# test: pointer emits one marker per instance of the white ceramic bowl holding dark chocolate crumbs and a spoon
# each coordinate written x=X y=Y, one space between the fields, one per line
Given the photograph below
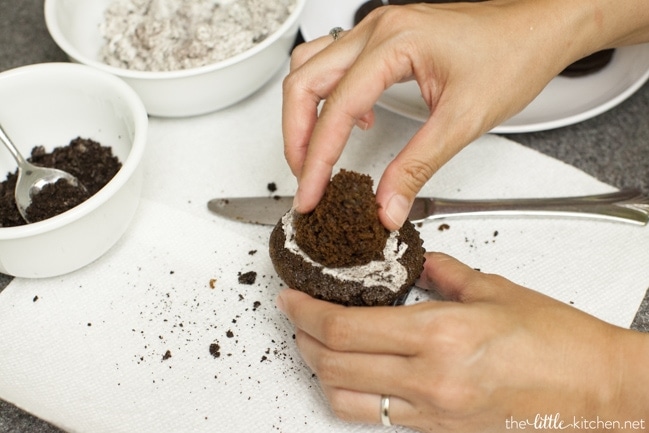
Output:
x=50 y=104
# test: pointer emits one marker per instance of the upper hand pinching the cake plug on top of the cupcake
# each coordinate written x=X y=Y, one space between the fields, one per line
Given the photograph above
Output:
x=476 y=65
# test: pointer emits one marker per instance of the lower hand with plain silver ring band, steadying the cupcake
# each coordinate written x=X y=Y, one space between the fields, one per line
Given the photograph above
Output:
x=495 y=352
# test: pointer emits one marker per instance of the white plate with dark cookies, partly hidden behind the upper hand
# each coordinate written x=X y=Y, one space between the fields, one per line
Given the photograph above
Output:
x=564 y=101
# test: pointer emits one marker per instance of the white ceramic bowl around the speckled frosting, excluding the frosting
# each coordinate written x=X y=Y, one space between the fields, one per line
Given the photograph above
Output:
x=74 y=26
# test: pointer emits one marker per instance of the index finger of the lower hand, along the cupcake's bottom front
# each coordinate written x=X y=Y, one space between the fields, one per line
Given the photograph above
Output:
x=386 y=330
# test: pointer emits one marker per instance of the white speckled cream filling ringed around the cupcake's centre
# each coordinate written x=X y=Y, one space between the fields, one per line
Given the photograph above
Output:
x=388 y=273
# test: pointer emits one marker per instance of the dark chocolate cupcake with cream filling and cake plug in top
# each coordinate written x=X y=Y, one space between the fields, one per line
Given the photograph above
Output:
x=340 y=252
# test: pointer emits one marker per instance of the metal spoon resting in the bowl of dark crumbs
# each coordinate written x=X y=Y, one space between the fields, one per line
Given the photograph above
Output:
x=32 y=178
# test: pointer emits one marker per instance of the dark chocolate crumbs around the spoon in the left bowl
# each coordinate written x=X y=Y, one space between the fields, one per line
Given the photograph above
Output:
x=90 y=162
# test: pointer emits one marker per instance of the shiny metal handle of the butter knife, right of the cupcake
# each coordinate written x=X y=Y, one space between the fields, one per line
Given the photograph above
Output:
x=628 y=205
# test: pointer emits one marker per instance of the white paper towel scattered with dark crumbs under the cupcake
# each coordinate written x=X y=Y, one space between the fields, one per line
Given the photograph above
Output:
x=86 y=351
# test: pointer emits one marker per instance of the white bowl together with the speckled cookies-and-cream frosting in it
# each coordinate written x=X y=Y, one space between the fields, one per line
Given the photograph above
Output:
x=182 y=57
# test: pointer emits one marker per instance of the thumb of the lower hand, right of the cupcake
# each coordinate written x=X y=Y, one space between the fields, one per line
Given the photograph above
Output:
x=454 y=280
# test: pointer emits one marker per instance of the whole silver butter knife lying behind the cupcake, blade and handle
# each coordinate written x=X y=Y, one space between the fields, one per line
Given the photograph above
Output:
x=627 y=205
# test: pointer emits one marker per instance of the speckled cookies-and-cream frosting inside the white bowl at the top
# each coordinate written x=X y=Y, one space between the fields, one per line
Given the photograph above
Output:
x=171 y=35
